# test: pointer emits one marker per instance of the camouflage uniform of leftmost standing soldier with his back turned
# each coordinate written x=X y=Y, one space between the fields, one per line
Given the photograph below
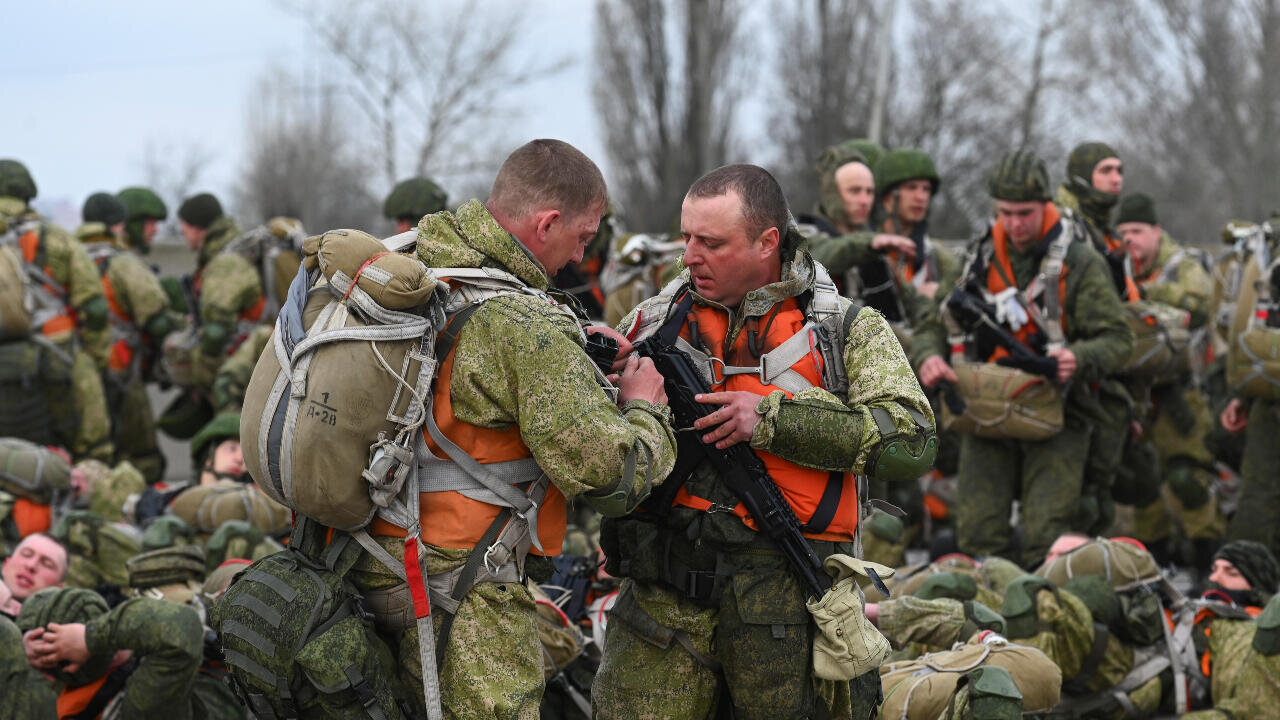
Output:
x=70 y=266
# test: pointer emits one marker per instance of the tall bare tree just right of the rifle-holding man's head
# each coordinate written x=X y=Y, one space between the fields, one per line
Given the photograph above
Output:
x=825 y=76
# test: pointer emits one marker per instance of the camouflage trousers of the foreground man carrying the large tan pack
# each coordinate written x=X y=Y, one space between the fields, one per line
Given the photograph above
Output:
x=493 y=664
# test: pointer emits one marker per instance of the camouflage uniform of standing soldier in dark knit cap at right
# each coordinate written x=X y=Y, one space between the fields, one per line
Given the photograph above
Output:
x=1180 y=421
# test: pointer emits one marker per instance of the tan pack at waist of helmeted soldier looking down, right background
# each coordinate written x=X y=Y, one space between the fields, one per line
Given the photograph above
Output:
x=1005 y=403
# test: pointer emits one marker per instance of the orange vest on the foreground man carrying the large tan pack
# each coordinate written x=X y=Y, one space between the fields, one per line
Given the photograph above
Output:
x=454 y=521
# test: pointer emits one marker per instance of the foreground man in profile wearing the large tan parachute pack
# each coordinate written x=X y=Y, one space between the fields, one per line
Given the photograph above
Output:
x=516 y=394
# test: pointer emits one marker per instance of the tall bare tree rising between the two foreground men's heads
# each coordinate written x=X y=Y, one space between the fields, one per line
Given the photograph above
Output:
x=665 y=90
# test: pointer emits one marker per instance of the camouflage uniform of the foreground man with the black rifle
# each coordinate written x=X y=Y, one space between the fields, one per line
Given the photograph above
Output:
x=669 y=655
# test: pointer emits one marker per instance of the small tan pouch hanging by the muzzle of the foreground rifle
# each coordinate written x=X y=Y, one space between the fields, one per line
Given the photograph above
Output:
x=847 y=644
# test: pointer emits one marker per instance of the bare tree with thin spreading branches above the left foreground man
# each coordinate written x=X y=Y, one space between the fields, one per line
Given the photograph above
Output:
x=432 y=81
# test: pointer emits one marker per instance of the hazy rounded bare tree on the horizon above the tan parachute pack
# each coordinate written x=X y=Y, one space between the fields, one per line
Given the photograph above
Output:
x=303 y=163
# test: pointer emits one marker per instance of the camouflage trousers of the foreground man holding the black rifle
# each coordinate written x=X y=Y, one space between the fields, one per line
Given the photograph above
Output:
x=666 y=658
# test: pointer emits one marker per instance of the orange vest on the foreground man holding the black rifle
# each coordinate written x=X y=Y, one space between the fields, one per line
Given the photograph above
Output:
x=802 y=487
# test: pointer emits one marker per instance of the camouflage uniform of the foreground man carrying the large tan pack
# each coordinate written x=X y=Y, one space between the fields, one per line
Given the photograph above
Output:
x=518 y=363
